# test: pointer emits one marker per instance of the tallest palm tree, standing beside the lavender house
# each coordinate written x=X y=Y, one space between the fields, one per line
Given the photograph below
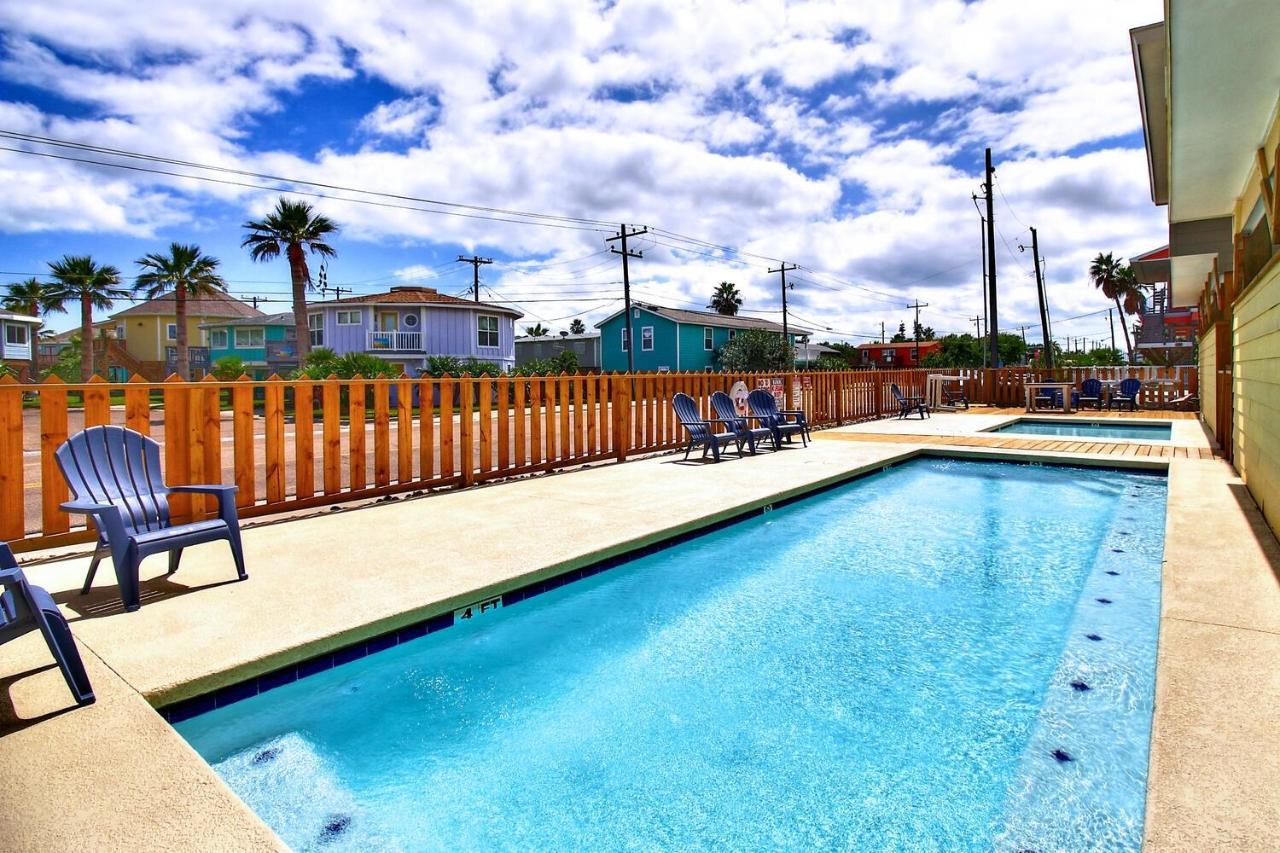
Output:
x=295 y=230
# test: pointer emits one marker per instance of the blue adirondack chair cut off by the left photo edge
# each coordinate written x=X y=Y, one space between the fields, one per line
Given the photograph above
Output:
x=25 y=609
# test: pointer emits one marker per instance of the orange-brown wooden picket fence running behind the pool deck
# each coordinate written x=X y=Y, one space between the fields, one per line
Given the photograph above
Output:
x=295 y=445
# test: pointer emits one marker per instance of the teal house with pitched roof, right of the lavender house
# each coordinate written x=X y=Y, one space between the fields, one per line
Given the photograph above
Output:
x=675 y=339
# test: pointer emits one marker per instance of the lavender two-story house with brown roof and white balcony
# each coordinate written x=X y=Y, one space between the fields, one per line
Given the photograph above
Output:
x=409 y=325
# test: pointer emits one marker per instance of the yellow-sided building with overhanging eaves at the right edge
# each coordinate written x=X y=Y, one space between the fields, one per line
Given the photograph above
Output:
x=1209 y=84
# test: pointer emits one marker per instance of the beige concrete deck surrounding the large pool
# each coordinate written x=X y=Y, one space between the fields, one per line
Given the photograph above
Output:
x=118 y=776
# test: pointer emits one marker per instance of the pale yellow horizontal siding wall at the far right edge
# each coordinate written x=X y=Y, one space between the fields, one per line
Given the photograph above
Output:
x=1256 y=355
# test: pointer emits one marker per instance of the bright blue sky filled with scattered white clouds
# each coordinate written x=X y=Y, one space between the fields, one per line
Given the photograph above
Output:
x=843 y=136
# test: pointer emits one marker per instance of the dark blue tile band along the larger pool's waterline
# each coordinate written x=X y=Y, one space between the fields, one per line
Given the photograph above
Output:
x=223 y=697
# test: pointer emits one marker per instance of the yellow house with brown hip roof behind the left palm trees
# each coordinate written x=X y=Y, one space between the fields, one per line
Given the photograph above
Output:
x=149 y=331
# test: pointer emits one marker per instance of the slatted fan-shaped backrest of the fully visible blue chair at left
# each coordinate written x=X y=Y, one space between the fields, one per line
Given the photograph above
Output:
x=117 y=466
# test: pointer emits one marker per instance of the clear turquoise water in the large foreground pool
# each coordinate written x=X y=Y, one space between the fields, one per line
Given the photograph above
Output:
x=949 y=655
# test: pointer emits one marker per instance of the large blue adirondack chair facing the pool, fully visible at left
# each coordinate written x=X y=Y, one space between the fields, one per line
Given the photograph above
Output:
x=115 y=476
